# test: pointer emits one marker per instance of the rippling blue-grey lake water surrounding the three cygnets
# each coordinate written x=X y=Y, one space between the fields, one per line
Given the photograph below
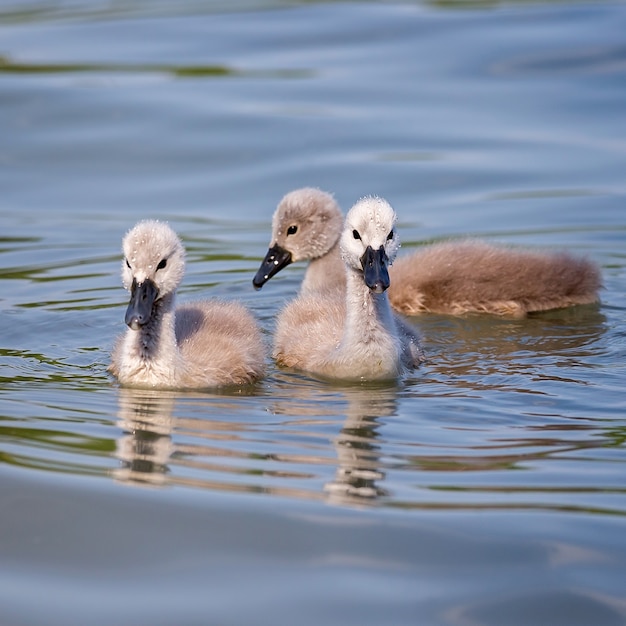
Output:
x=488 y=488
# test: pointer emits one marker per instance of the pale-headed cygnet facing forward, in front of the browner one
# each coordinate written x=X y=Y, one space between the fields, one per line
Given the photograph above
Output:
x=353 y=335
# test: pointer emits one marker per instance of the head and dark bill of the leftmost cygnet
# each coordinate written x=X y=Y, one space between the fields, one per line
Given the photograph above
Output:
x=153 y=266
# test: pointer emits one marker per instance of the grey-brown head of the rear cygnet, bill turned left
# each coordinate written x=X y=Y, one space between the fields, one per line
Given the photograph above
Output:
x=306 y=225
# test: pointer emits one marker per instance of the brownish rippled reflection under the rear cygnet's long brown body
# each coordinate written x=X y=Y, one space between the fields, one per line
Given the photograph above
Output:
x=479 y=354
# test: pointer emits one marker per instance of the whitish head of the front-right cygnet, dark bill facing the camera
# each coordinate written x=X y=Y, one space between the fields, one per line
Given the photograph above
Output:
x=369 y=242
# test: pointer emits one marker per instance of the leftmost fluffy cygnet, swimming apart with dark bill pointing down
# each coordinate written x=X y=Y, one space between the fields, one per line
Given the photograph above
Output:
x=197 y=345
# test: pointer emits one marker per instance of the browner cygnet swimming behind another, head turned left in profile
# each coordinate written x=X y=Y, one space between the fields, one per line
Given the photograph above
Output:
x=454 y=277
